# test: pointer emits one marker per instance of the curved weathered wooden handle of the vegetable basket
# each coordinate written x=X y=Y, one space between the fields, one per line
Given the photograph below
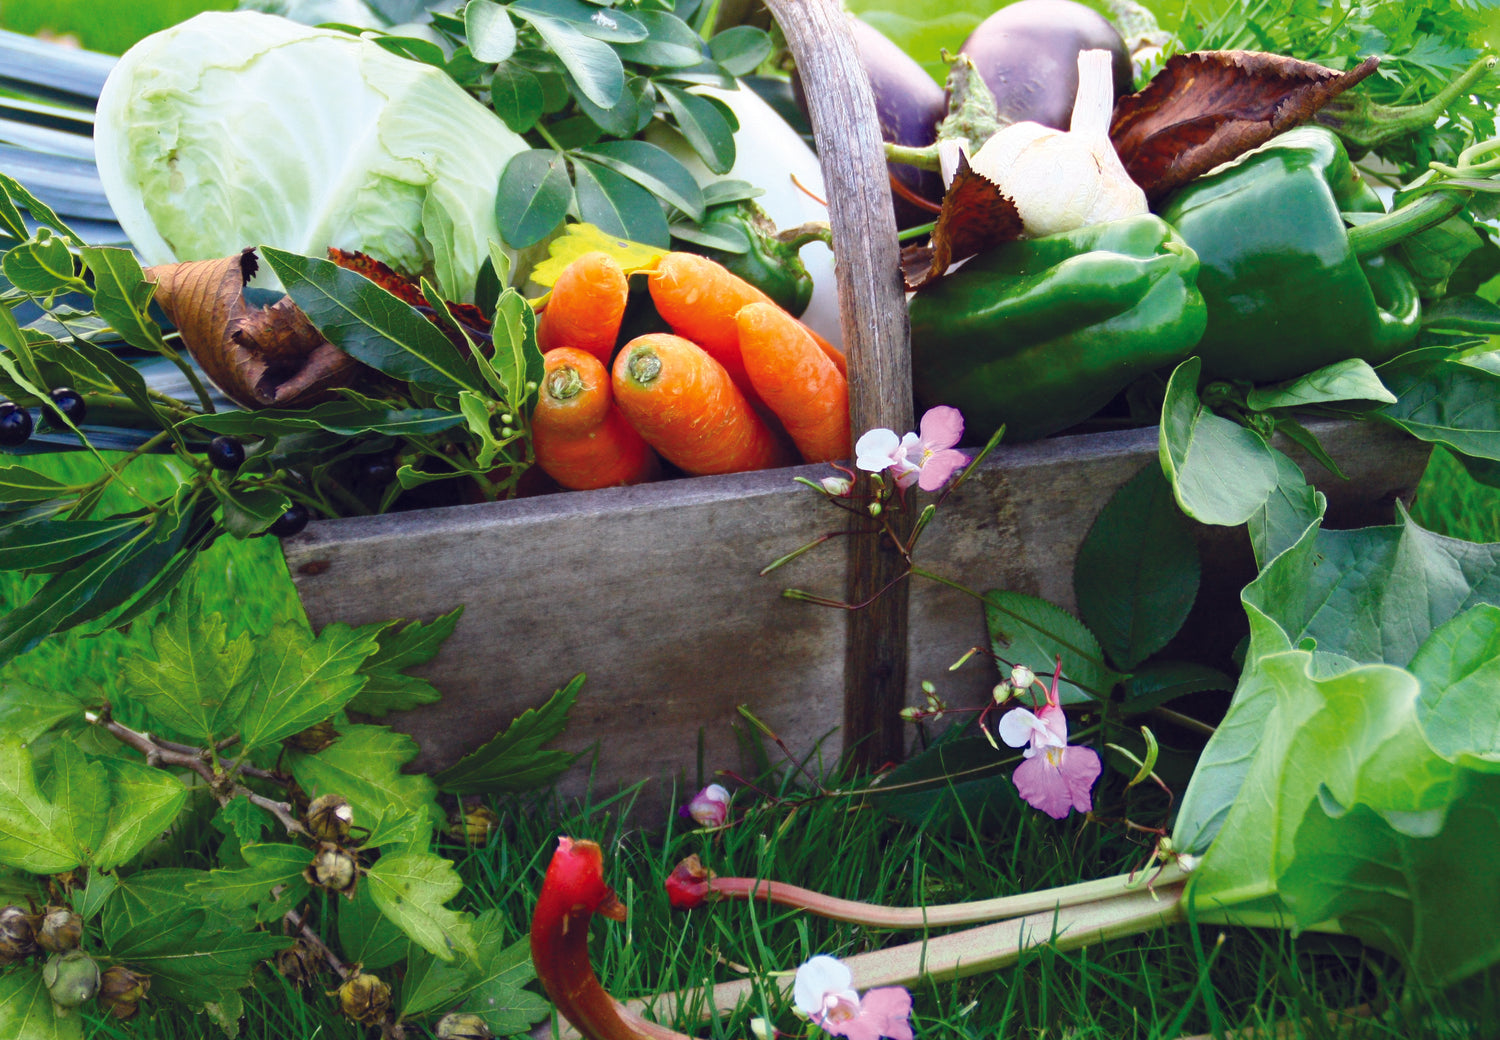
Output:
x=877 y=340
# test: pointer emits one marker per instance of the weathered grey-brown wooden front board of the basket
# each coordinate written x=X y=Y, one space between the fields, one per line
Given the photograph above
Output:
x=655 y=594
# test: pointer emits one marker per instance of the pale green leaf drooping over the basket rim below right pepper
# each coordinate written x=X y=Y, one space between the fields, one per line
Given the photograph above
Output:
x=1220 y=472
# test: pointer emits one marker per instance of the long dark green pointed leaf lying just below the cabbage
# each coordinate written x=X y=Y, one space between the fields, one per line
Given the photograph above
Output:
x=371 y=325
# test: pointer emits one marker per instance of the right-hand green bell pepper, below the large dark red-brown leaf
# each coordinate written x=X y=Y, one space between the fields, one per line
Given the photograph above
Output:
x=1286 y=289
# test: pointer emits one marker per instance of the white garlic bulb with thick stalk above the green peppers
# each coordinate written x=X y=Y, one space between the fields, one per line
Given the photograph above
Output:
x=1066 y=179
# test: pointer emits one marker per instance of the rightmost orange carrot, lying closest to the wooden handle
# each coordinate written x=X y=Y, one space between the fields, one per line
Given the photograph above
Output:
x=796 y=380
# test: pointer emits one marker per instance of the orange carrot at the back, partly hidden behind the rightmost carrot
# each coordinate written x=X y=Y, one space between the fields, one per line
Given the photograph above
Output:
x=701 y=298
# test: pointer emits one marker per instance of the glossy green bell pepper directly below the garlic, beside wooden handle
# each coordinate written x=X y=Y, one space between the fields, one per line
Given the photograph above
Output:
x=1040 y=334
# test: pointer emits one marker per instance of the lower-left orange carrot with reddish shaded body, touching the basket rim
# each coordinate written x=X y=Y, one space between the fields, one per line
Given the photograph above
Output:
x=580 y=436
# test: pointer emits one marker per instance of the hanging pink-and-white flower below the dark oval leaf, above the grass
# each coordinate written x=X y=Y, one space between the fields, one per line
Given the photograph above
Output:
x=1057 y=777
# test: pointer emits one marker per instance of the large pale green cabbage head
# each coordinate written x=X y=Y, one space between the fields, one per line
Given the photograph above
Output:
x=239 y=130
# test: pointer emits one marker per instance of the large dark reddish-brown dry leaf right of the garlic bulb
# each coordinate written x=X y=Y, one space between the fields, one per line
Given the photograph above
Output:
x=1210 y=107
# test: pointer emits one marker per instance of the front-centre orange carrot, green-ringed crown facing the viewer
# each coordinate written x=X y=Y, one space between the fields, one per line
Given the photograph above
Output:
x=688 y=407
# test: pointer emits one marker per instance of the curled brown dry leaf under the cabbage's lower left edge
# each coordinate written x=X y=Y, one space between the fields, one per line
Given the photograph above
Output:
x=260 y=358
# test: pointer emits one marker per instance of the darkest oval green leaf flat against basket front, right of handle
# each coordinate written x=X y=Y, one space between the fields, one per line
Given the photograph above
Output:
x=1138 y=571
